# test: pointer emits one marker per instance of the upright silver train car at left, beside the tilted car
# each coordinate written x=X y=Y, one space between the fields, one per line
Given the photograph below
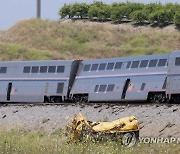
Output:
x=37 y=81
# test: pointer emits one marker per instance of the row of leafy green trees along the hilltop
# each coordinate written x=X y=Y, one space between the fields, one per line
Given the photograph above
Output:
x=153 y=13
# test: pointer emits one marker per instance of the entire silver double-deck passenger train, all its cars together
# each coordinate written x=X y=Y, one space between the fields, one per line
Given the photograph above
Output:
x=155 y=78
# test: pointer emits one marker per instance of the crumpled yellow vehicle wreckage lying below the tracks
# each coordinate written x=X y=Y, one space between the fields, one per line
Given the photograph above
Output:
x=81 y=129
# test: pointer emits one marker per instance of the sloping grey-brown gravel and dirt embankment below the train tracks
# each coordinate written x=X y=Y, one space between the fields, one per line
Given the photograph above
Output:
x=155 y=120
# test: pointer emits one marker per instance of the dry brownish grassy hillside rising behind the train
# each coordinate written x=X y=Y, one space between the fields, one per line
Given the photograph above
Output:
x=86 y=40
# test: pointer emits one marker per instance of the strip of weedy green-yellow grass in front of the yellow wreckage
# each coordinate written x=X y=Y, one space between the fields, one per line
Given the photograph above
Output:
x=22 y=141
